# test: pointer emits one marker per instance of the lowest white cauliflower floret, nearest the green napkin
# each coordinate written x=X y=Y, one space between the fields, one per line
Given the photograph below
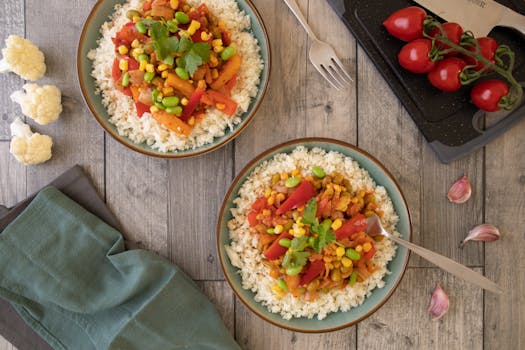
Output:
x=27 y=147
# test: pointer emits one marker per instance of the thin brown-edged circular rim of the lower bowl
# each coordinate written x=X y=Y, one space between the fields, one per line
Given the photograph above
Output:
x=256 y=160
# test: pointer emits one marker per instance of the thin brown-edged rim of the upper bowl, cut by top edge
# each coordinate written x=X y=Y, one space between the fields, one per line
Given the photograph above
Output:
x=176 y=155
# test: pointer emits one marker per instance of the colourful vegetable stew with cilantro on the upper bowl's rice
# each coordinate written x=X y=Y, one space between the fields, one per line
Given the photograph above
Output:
x=176 y=61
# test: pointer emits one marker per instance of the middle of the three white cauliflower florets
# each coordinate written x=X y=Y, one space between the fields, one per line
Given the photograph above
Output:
x=41 y=103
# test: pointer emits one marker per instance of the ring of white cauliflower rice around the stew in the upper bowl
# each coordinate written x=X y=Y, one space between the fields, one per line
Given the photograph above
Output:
x=146 y=129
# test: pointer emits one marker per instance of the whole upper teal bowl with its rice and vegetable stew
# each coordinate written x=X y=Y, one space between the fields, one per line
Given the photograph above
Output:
x=173 y=78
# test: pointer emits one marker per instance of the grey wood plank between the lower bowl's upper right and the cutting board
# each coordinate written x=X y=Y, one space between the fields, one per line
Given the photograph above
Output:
x=397 y=138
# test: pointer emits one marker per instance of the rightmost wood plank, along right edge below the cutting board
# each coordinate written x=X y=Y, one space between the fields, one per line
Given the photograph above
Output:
x=505 y=205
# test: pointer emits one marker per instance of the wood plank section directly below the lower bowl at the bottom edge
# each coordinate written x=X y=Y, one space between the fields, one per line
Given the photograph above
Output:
x=255 y=334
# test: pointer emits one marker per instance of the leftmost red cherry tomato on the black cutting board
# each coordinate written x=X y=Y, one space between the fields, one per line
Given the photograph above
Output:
x=406 y=24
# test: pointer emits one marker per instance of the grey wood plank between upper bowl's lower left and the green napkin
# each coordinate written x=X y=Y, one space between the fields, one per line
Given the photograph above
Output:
x=137 y=193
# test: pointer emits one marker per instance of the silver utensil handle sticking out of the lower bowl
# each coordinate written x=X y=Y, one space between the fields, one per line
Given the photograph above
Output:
x=450 y=265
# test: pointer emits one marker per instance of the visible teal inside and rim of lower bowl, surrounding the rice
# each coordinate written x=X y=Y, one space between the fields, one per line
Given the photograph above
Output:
x=397 y=266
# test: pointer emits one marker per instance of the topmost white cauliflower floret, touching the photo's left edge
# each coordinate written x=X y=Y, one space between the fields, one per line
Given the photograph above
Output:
x=22 y=57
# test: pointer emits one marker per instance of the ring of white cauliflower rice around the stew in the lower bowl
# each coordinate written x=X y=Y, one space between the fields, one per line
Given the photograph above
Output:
x=243 y=252
